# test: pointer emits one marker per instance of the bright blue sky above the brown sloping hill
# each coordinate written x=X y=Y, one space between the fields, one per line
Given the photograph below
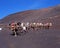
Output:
x=8 y=7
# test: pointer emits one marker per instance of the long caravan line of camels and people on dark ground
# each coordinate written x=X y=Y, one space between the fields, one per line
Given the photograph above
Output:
x=23 y=27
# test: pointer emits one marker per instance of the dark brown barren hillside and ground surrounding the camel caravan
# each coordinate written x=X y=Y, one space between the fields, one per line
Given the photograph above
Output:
x=44 y=38
